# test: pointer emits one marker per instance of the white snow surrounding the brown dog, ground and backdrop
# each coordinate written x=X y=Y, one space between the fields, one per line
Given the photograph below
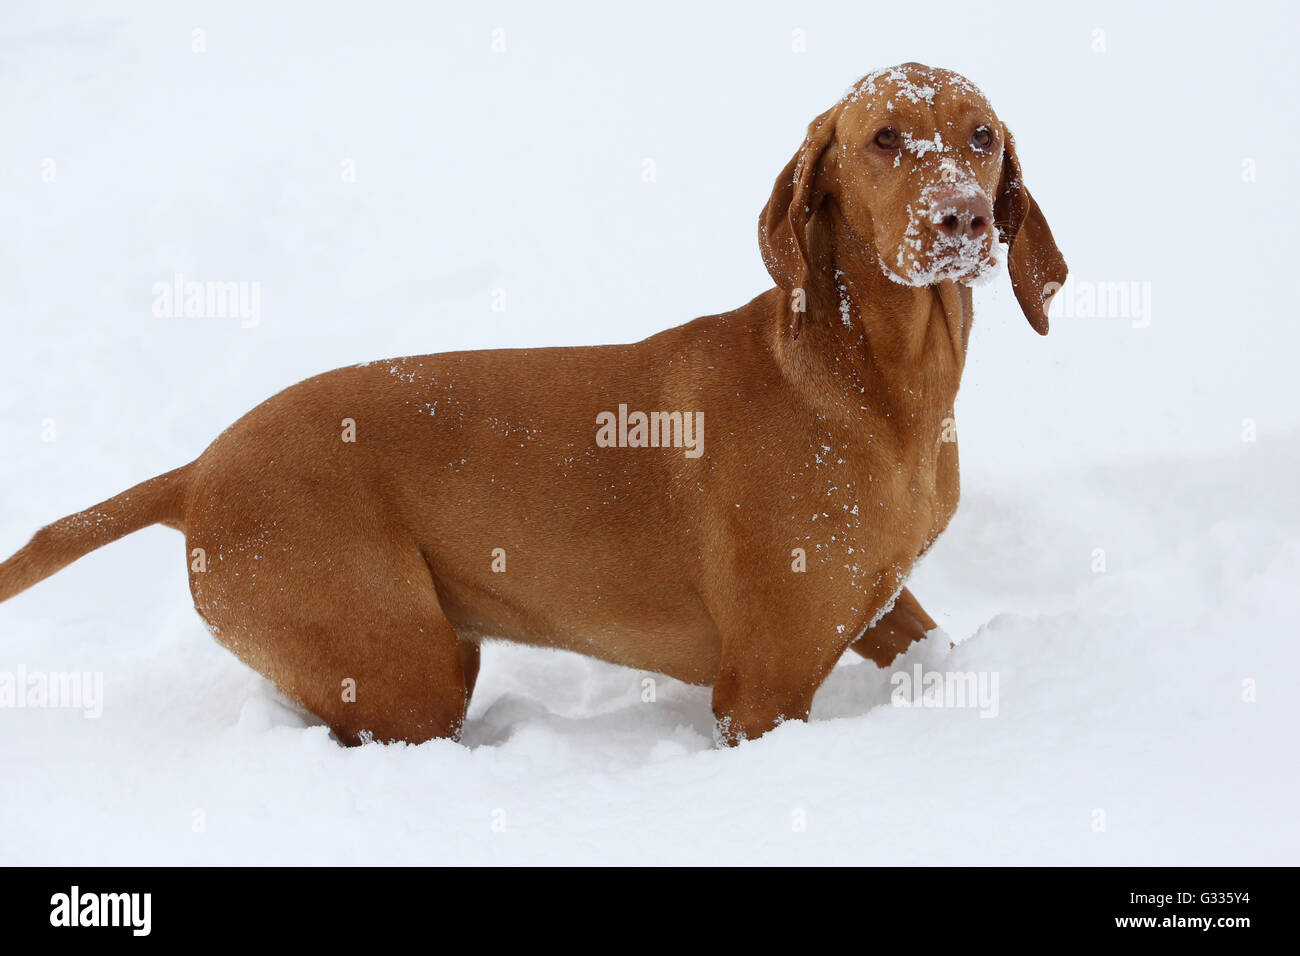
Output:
x=1147 y=713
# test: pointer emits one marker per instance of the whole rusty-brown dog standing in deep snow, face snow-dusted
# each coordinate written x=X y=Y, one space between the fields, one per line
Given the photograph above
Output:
x=733 y=503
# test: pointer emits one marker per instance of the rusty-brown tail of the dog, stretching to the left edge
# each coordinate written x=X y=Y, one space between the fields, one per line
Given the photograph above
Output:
x=161 y=500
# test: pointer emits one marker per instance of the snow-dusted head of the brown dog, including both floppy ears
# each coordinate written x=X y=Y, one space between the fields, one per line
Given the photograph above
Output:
x=921 y=168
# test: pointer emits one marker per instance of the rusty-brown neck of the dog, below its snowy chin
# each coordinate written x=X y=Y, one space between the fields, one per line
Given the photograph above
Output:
x=868 y=339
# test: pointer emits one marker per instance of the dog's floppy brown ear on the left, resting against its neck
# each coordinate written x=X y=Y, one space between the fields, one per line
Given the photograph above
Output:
x=783 y=226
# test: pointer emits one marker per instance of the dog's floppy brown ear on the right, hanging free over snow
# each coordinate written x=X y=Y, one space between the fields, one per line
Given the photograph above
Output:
x=1037 y=267
